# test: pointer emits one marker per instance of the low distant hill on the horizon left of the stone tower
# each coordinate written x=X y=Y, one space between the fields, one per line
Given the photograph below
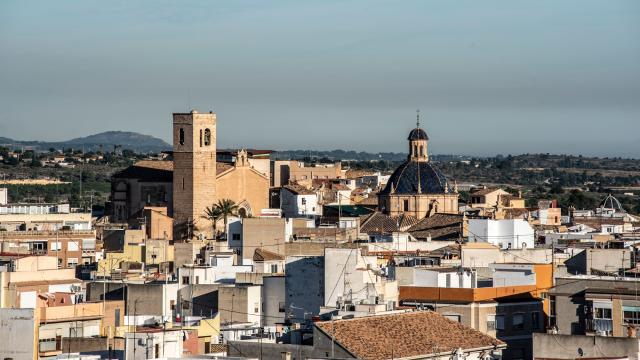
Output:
x=105 y=141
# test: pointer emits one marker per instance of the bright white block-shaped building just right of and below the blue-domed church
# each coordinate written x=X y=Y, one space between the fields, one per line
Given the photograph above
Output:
x=506 y=234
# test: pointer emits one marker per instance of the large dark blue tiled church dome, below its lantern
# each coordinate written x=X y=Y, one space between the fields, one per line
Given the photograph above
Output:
x=405 y=179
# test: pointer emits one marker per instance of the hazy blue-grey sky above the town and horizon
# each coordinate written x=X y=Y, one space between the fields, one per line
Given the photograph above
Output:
x=489 y=77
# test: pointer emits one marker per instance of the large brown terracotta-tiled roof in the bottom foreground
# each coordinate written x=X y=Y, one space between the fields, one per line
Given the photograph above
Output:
x=404 y=335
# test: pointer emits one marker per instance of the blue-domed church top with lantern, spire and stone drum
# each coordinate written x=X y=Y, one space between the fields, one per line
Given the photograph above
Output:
x=417 y=188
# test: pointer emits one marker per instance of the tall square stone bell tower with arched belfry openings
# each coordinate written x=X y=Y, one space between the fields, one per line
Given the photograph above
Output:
x=194 y=172
